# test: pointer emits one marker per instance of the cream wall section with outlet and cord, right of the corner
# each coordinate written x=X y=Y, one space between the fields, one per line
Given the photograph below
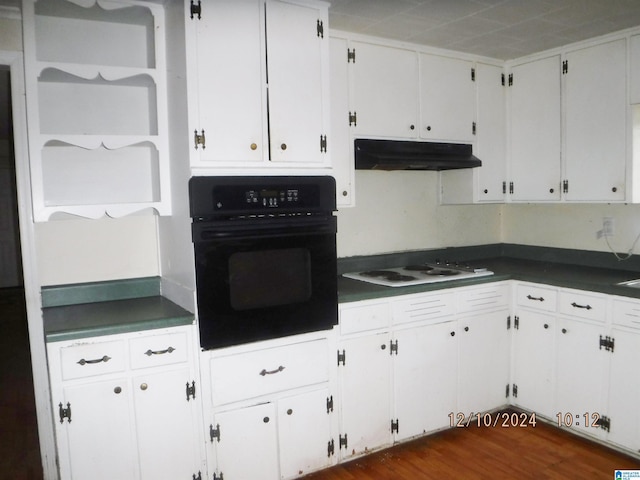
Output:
x=571 y=225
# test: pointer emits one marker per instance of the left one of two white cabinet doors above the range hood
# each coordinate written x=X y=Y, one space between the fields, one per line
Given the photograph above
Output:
x=385 y=91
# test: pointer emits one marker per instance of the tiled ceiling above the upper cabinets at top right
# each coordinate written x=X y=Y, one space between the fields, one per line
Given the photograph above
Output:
x=501 y=29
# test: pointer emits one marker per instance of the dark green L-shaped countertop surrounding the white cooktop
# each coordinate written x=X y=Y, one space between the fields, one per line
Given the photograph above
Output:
x=582 y=277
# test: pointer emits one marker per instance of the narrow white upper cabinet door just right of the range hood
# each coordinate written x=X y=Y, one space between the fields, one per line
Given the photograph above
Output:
x=490 y=142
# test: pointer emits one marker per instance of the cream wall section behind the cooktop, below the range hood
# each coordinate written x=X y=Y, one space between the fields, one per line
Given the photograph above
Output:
x=399 y=211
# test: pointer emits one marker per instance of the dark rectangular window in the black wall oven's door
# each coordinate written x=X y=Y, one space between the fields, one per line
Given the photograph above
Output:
x=268 y=278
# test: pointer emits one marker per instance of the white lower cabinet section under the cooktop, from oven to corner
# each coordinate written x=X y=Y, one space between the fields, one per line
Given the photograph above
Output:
x=415 y=363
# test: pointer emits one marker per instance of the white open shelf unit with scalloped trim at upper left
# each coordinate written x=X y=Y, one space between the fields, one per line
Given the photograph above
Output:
x=97 y=107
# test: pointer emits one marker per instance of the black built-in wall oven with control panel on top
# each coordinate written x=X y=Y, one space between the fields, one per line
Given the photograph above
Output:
x=265 y=253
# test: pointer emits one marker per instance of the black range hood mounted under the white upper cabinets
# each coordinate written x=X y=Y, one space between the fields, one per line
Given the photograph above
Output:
x=412 y=155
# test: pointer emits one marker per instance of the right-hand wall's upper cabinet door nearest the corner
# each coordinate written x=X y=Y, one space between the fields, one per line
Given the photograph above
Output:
x=535 y=130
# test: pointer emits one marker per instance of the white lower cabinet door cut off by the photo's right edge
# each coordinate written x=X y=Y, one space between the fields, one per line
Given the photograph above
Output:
x=624 y=389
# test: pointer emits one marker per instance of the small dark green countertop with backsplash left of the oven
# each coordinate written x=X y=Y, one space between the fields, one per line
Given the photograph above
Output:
x=106 y=308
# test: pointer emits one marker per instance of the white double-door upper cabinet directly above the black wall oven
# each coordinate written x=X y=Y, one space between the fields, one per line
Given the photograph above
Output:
x=261 y=81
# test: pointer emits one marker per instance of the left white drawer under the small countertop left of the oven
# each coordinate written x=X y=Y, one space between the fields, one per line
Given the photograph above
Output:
x=85 y=360
